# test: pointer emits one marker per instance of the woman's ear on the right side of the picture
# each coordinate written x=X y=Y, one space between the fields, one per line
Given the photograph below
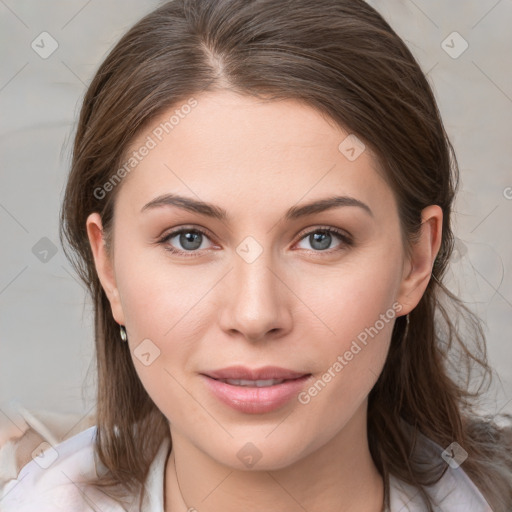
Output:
x=418 y=268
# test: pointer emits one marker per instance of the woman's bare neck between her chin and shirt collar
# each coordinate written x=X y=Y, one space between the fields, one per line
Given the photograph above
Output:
x=338 y=476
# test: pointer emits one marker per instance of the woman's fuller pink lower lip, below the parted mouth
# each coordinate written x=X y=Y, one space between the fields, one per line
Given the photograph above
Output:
x=254 y=400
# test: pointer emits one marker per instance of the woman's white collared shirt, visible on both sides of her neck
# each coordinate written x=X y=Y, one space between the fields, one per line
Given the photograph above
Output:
x=50 y=483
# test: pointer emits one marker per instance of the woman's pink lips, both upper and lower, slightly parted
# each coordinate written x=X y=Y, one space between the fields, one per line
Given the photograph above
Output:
x=252 y=399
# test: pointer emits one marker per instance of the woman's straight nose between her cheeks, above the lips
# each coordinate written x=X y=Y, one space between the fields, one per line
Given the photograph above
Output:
x=257 y=301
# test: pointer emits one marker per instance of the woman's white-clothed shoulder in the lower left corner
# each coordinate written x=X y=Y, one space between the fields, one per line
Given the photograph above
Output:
x=53 y=480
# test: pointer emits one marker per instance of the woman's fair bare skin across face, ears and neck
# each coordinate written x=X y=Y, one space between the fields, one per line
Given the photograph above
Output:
x=295 y=306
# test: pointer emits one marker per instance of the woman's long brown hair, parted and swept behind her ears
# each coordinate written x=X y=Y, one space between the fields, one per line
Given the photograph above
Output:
x=344 y=60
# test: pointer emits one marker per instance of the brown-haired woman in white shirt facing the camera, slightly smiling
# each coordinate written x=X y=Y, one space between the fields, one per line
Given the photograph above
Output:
x=260 y=204
